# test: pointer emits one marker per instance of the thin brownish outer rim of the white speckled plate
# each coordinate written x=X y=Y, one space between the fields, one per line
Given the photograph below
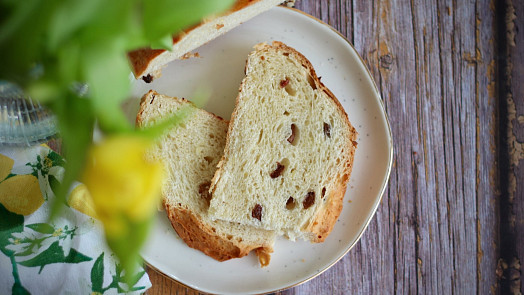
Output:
x=384 y=183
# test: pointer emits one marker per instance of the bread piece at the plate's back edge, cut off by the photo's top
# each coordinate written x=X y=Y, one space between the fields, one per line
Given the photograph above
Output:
x=147 y=63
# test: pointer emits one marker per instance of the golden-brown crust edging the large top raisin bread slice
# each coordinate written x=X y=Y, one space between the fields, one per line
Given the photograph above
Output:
x=322 y=224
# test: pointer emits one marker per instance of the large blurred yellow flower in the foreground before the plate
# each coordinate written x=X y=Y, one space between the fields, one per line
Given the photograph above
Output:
x=124 y=185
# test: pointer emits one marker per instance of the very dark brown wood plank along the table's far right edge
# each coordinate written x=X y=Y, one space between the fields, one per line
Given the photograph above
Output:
x=512 y=120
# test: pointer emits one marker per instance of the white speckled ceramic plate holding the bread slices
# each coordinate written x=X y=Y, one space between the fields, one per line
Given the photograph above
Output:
x=220 y=71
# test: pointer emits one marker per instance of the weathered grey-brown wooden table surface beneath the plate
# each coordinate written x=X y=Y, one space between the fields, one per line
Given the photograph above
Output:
x=451 y=74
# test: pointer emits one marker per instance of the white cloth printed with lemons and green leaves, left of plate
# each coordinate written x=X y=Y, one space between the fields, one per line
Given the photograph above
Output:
x=66 y=255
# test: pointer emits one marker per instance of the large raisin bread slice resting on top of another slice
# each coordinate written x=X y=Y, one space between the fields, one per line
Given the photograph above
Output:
x=289 y=150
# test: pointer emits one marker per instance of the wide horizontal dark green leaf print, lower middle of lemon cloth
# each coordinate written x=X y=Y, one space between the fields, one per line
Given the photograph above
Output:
x=55 y=254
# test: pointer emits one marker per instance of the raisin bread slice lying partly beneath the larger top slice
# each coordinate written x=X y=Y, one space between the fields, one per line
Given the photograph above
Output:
x=191 y=152
